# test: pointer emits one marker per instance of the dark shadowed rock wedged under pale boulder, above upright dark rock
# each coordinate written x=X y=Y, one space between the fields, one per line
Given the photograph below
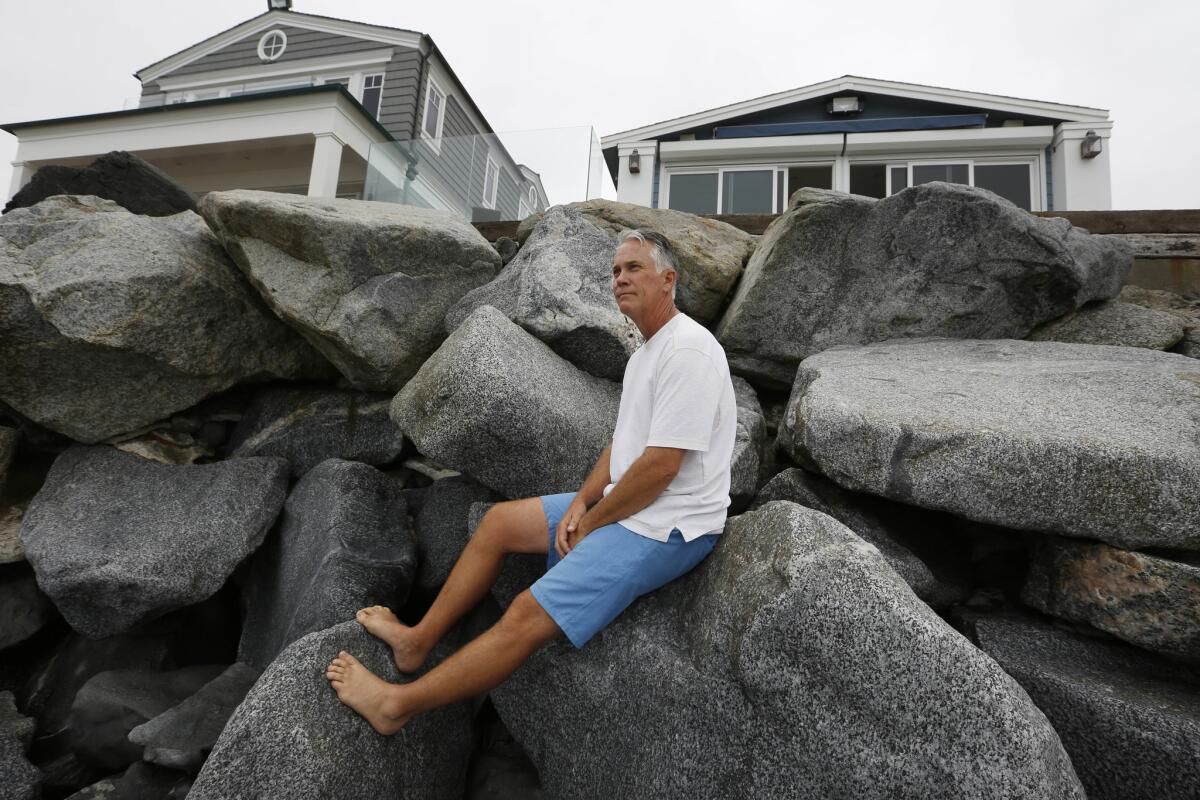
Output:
x=307 y=426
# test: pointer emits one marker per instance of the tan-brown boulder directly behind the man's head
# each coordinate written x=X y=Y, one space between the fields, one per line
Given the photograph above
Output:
x=711 y=254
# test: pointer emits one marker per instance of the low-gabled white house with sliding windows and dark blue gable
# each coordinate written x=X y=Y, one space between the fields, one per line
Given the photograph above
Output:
x=867 y=137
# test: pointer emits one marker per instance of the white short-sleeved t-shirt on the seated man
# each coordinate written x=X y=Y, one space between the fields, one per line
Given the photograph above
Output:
x=677 y=394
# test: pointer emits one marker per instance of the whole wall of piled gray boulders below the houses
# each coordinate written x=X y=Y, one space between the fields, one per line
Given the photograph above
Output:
x=967 y=564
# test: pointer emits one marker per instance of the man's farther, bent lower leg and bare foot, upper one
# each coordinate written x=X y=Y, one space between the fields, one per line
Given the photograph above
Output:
x=515 y=527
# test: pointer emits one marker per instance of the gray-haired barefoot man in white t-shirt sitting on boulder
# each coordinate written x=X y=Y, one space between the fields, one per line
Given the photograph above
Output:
x=651 y=510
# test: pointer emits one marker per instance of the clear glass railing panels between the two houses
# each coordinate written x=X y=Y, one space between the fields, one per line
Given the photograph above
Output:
x=491 y=177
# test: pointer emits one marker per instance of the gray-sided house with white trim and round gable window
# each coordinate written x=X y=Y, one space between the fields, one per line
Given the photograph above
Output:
x=297 y=103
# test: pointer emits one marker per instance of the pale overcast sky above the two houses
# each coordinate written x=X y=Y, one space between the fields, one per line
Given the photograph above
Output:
x=617 y=65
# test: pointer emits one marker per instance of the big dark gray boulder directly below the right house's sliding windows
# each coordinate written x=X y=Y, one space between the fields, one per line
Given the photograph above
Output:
x=938 y=260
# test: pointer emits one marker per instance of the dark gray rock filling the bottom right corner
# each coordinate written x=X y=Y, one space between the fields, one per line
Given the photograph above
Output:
x=1131 y=721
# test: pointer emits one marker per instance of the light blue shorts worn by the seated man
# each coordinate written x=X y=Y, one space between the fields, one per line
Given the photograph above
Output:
x=608 y=572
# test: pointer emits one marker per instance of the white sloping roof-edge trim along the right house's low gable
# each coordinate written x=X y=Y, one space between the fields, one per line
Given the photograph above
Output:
x=853 y=85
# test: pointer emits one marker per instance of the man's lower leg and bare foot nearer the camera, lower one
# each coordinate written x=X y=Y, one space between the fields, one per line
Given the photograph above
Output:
x=479 y=667
